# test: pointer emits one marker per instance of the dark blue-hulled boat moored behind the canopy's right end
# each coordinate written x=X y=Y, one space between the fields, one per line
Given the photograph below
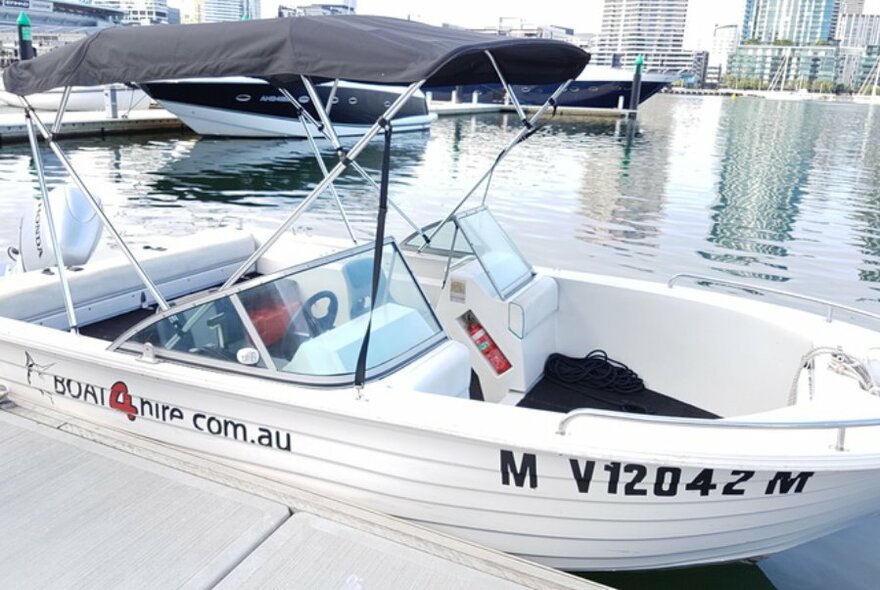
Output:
x=596 y=88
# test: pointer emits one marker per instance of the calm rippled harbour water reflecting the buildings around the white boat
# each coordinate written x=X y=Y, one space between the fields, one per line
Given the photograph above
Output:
x=775 y=193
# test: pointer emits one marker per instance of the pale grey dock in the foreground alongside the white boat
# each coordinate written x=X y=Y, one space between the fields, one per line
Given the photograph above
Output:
x=89 y=507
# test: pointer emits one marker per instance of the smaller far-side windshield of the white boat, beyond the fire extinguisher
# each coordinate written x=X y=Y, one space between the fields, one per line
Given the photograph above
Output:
x=476 y=232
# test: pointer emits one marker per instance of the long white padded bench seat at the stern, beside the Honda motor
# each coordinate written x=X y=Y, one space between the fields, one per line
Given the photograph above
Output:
x=107 y=288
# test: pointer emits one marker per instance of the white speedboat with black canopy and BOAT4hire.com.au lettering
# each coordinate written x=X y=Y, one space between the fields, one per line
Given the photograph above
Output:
x=751 y=429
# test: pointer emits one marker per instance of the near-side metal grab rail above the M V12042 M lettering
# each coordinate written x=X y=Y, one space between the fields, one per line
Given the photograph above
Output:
x=840 y=425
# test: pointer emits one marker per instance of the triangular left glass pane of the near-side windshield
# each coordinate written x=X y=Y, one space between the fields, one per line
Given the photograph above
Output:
x=213 y=331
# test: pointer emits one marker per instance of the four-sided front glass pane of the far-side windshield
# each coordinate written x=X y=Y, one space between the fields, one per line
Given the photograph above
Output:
x=505 y=266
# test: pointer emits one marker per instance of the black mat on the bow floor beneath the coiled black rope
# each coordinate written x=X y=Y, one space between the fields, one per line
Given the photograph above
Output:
x=555 y=396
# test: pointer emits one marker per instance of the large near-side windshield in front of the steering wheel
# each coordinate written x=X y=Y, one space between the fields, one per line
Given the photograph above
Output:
x=308 y=321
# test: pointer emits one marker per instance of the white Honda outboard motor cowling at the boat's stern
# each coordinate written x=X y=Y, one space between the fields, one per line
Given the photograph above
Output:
x=77 y=228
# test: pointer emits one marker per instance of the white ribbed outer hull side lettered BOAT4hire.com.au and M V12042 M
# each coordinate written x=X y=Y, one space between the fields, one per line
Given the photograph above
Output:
x=564 y=502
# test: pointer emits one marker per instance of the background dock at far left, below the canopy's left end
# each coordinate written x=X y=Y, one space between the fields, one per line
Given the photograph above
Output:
x=92 y=123
